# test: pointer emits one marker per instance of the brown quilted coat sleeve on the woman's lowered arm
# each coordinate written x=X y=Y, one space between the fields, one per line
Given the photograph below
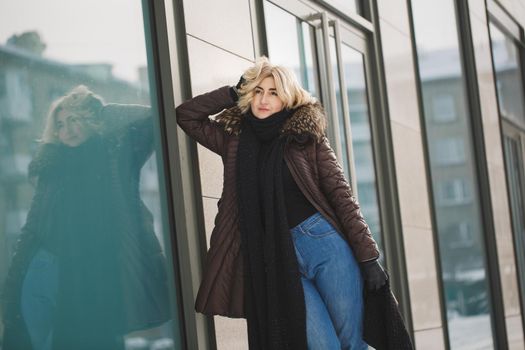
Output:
x=338 y=192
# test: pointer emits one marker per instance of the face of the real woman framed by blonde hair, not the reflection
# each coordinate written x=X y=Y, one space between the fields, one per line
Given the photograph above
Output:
x=265 y=100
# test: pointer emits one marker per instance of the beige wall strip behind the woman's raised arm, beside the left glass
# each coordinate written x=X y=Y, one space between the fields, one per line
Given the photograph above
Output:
x=220 y=45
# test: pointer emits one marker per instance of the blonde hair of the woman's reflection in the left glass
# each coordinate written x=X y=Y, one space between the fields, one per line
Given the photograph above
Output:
x=80 y=101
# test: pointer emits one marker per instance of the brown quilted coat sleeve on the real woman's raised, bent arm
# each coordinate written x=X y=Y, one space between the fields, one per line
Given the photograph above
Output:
x=193 y=118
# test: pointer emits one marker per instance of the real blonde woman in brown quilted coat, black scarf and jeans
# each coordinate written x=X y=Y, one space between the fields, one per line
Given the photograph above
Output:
x=288 y=233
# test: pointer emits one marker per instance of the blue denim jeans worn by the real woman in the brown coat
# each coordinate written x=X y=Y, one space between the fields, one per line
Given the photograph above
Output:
x=333 y=286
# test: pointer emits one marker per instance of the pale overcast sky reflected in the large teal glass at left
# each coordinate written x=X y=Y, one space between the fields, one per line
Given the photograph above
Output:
x=79 y=31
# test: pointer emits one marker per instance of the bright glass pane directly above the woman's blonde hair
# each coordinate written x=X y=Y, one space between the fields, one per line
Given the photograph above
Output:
x=291 y=44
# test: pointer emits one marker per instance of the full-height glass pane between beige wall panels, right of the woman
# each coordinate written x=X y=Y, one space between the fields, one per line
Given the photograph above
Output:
x=453 y=173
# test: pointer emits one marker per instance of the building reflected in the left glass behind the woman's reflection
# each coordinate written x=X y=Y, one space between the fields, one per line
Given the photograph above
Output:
x=28 y=84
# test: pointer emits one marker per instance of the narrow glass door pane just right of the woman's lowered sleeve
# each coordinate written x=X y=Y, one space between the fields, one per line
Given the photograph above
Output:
x=367 y=190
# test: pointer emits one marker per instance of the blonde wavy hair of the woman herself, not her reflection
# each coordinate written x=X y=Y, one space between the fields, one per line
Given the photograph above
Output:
x=286 y=84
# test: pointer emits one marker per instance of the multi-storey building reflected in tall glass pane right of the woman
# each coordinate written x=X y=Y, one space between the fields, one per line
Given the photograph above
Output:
x=460 y=236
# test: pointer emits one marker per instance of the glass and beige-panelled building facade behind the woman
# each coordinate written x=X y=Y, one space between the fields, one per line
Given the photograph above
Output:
x=106 y=207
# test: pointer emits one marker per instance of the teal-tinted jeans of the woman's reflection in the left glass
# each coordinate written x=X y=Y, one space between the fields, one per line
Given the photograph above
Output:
x=38 y=299
